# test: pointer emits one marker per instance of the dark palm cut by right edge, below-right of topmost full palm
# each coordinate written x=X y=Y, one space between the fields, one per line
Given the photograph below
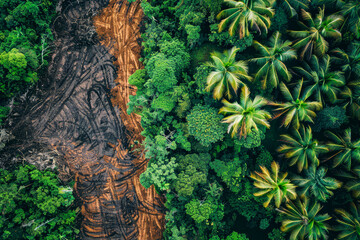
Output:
x=349 y=60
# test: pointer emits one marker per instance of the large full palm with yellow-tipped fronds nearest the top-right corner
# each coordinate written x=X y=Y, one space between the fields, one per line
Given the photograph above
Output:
x=312 y=38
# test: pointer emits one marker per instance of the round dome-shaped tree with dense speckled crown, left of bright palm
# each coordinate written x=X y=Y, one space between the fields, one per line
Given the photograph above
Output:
x=204 y=124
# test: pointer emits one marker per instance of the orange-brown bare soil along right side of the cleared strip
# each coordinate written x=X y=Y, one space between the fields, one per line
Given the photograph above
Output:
x=118 y=27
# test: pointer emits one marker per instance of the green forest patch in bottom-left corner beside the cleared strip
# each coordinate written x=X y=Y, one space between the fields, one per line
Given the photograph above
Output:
x=35 y=206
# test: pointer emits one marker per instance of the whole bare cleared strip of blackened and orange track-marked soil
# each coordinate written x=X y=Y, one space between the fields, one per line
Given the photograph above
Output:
x=82 y=115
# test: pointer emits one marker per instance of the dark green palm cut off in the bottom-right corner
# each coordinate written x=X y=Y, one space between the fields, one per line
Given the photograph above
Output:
x=348 y=223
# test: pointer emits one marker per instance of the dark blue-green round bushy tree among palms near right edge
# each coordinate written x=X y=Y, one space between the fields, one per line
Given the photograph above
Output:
x=330 y=118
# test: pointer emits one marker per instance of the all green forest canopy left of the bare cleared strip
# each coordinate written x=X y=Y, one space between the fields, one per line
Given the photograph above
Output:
x=34 y=204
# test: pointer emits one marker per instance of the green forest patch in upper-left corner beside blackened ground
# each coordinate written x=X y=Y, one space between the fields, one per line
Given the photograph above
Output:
x=25 y=35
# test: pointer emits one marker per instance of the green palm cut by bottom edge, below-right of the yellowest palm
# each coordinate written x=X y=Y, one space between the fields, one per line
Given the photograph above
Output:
x=304 y=221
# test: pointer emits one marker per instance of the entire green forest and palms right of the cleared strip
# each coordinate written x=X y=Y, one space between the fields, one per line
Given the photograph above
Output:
x=250 y=110
